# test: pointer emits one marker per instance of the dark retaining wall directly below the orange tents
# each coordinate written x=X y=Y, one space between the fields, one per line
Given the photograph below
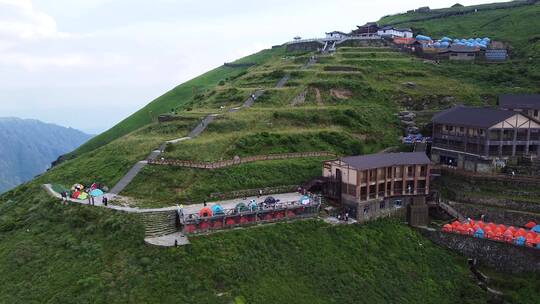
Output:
x=501 y=256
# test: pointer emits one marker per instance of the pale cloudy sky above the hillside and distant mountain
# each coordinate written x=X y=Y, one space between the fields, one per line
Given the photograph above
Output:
x=88 y=64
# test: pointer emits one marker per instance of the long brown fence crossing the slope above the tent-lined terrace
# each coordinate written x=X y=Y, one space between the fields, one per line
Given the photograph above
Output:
x=236 y=161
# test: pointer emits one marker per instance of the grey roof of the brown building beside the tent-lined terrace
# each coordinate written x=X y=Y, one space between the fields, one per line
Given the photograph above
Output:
x=372 y=161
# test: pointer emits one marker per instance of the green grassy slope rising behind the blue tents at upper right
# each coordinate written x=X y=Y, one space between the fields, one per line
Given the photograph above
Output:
x=519 y=26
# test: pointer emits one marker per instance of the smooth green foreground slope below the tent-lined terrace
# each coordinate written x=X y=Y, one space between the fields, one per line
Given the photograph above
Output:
x=57 y=254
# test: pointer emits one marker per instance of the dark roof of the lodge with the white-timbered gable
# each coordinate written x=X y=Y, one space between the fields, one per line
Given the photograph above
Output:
x=472 y=117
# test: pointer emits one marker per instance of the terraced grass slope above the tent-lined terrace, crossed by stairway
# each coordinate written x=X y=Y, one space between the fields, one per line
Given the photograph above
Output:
x=343 y=104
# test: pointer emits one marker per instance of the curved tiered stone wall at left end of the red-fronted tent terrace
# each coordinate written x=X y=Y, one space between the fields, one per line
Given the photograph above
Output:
x=159 y=223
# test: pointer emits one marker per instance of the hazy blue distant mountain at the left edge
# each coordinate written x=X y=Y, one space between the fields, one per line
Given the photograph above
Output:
x=27 y=148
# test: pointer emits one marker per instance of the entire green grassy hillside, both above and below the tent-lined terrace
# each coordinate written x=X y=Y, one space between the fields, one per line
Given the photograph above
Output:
x=346 y=104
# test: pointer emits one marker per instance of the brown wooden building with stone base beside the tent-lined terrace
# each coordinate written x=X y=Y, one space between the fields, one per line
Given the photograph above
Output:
x=383 y=184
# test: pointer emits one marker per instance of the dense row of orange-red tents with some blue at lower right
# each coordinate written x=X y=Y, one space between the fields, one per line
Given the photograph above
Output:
x=502 y=233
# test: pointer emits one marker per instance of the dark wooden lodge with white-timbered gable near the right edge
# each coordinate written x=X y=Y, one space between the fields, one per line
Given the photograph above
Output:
x=480 y=139
